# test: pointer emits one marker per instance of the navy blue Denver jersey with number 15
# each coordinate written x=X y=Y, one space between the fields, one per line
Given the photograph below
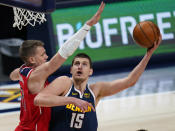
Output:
x=71 y=118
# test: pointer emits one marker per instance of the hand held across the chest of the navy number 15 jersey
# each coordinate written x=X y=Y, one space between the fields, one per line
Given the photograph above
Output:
x=83 y=105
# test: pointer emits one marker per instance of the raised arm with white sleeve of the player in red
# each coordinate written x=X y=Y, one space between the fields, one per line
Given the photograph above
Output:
x=67 y=49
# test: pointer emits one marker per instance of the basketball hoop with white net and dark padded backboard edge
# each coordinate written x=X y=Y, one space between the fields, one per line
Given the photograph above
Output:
x=29 y=11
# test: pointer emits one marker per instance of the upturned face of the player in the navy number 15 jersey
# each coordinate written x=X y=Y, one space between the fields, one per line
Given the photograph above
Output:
x=80 y=69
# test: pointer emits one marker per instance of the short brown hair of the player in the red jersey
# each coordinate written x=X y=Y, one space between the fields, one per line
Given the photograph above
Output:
x=28 y=48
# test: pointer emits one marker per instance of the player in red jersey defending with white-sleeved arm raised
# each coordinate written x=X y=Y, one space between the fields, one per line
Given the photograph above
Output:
x=33 y=76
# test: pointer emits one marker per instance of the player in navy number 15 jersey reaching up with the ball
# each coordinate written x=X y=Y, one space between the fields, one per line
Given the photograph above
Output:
x=63 y=91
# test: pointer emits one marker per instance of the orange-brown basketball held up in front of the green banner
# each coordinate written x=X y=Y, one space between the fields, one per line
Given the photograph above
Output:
x=146 y=33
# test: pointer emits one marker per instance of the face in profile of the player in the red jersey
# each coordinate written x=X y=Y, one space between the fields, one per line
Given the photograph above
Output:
x=40 y=56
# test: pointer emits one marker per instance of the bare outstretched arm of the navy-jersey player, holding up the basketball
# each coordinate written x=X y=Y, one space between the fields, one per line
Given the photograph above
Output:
x=113 y=87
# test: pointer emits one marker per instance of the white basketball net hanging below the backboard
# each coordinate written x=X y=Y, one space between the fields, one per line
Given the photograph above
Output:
x=22 y=17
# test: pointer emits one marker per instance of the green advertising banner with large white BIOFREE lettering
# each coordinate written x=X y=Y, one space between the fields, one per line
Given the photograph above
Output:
x=111 y=38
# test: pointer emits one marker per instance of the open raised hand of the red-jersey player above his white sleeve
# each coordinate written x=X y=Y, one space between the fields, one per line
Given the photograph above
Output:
x=96 y=17
